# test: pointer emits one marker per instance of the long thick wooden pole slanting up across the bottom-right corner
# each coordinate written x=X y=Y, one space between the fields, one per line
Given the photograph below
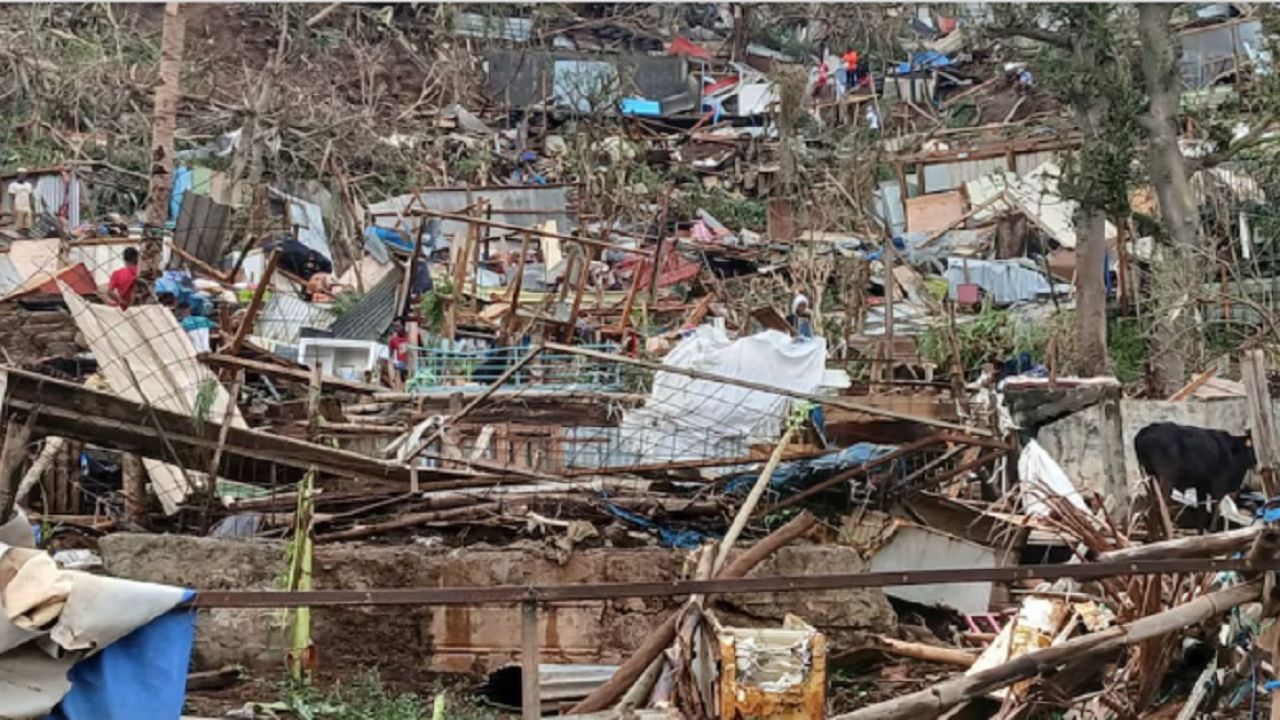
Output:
x=935 y=700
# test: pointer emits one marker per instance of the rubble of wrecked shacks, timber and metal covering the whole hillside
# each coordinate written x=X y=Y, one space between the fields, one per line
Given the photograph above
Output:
x=619 y=298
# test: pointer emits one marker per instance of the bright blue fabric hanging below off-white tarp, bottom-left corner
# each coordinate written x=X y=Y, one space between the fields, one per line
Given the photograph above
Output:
x=143 y=675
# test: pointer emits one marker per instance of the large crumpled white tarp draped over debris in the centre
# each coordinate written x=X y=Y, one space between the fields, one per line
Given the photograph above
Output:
x=693 y=420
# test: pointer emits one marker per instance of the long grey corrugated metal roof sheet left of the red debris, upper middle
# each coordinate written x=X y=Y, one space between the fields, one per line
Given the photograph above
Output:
x=519 y=206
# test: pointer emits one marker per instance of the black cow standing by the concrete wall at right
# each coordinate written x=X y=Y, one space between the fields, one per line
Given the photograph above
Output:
x=1183 y=458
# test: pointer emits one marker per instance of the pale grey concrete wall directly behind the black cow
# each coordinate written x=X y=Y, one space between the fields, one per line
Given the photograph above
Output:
x=1077 y=443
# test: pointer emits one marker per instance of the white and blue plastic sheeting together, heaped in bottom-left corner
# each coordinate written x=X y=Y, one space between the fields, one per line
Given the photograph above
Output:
x=76 y=646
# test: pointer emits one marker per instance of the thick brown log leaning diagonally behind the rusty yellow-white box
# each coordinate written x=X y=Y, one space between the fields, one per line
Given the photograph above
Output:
x=661 y=637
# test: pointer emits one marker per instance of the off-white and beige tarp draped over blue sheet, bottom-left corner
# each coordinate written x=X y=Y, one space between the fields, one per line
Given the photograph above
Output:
x=54 y=618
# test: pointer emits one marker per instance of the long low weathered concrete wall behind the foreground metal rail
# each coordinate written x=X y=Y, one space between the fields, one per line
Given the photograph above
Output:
x=410 y=642
